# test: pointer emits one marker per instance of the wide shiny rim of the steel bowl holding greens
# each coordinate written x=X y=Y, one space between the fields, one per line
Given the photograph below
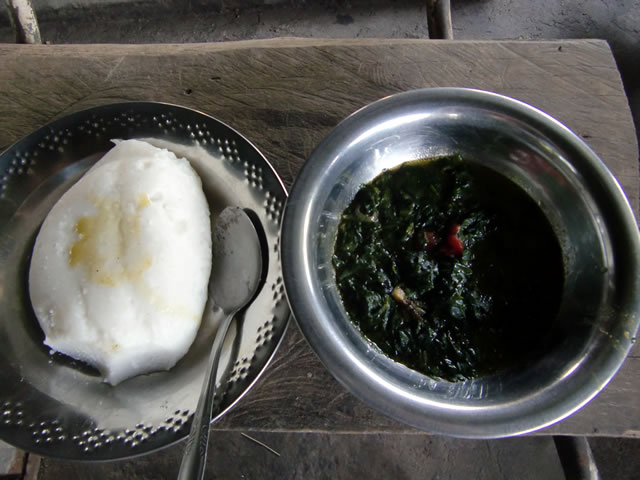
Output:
x=325 y=341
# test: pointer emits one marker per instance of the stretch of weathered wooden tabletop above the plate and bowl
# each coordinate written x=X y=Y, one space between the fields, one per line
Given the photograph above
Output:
x=286 y=95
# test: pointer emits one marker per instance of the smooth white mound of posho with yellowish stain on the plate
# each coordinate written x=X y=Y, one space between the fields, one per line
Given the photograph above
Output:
x=121 y=264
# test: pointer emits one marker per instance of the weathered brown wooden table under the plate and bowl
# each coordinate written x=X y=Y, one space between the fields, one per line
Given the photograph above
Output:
x=285 y=95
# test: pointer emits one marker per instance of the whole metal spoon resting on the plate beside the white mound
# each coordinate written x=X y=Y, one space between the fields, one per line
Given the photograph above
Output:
x=237 y=268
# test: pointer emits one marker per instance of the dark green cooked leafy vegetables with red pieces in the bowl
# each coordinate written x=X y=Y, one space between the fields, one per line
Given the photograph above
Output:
x=449 y=268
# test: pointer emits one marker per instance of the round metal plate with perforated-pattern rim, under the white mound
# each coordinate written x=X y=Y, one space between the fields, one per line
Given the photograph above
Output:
x=55 y=406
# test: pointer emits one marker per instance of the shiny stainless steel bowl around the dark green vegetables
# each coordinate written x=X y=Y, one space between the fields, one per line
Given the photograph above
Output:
x=598 y=317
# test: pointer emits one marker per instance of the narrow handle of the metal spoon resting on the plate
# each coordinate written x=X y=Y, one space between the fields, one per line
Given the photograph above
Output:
x=195 y=453
